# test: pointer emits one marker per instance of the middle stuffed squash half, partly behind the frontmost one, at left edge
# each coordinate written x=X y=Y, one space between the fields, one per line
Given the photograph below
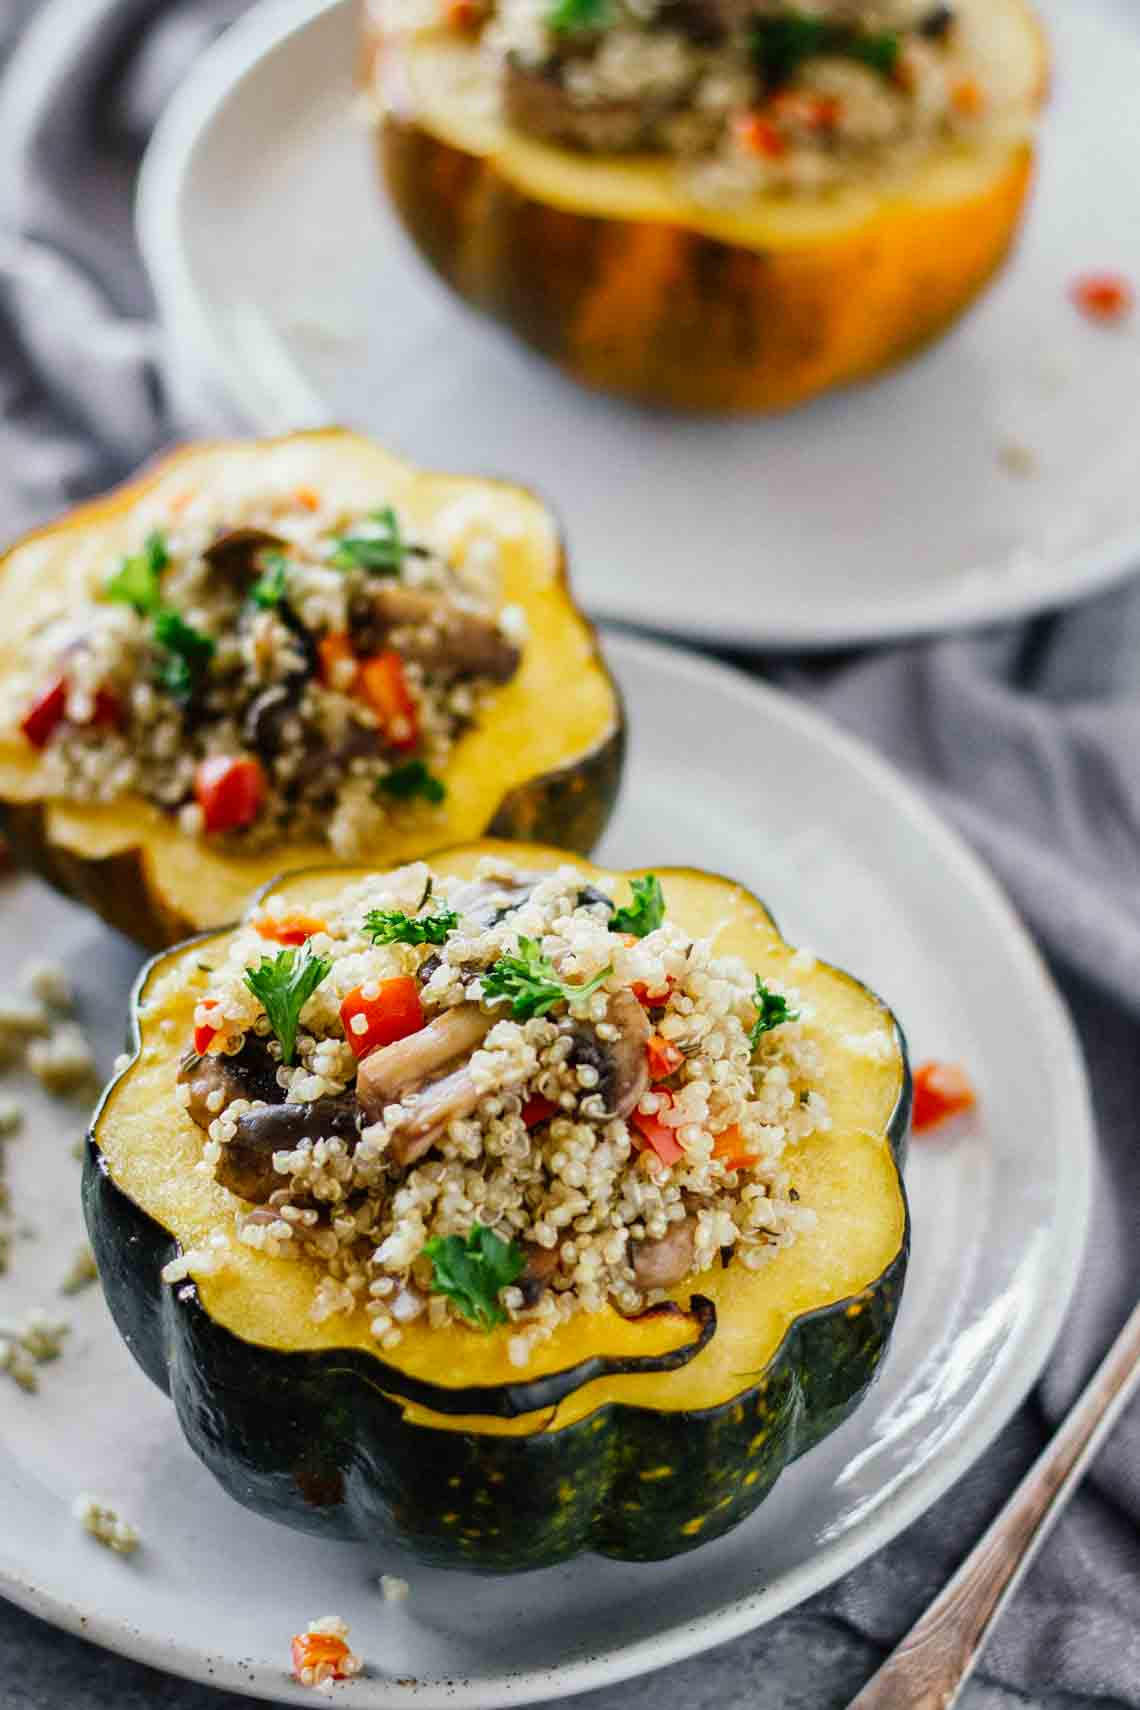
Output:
x=286 y=652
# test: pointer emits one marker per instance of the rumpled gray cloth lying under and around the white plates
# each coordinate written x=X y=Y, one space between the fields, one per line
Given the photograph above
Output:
x=1030 y=738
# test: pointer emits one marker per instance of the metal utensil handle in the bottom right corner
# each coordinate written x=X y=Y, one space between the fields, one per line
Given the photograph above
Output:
x=931 y=1666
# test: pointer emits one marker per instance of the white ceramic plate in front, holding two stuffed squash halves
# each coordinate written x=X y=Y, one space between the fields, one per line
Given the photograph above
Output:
x=859 y=868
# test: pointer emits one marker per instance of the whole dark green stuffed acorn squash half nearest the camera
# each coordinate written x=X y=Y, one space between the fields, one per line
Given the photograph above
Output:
x=503 y=1206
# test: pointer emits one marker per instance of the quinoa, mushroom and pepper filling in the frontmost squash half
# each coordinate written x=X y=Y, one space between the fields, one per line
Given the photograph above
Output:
x=500 y=1100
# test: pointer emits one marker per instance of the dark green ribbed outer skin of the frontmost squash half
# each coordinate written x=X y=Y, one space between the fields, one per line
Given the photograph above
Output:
x=312 y=1439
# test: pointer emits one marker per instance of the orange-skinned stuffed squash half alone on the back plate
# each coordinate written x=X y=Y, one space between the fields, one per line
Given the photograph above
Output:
x=710 y=204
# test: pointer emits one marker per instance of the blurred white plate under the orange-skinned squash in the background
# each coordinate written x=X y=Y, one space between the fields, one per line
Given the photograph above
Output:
x=293 y=298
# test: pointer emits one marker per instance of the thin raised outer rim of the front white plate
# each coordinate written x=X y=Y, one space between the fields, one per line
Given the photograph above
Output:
x=978 y=1424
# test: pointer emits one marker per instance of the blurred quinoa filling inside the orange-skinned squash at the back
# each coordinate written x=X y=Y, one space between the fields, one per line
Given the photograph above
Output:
x=755 y=93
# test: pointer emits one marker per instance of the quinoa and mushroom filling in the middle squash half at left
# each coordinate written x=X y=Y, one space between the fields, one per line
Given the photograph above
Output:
x=269 y=669
